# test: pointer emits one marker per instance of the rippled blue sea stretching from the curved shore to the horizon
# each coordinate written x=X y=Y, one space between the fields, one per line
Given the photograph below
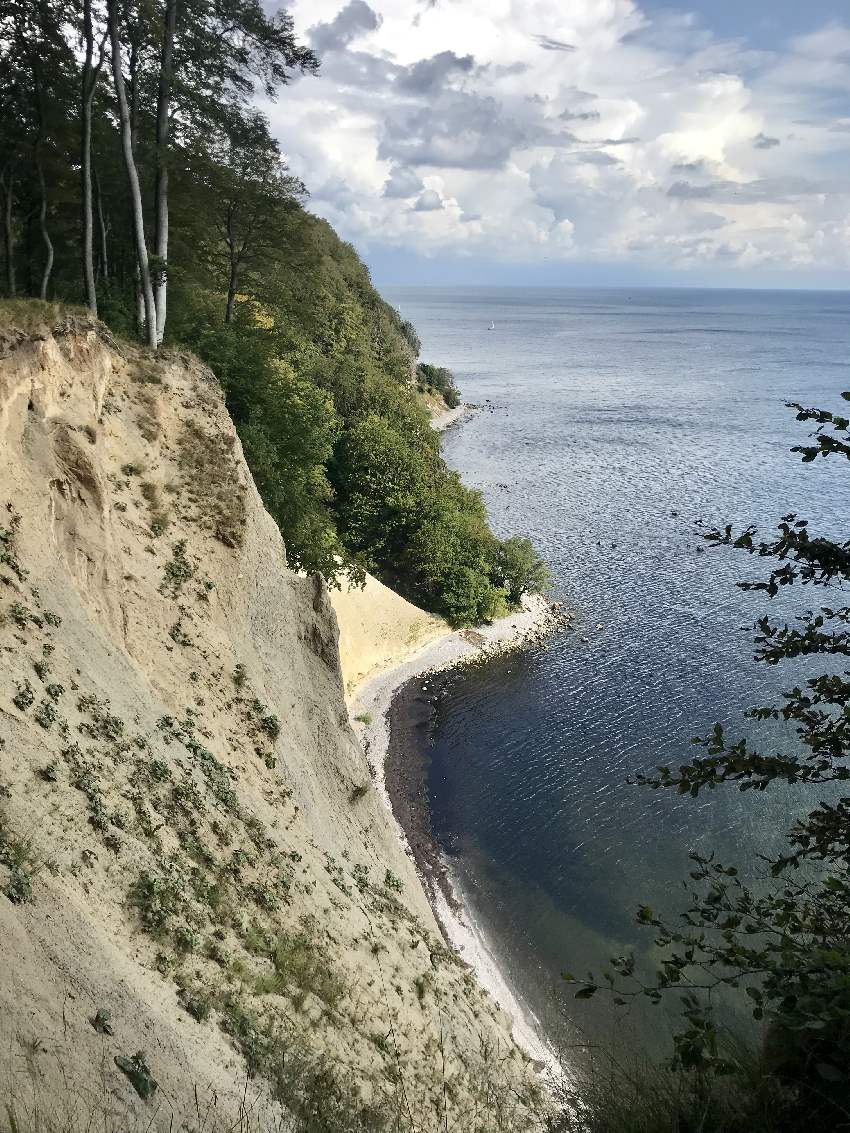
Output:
x=614 y=421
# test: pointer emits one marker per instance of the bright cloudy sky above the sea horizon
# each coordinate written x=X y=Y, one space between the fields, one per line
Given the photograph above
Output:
x=579 y=142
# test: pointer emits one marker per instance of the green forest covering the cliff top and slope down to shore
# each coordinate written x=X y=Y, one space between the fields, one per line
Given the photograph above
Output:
x=139 y=180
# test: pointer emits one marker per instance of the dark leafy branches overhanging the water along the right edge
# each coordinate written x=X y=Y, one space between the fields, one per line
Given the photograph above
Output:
x=786 y=948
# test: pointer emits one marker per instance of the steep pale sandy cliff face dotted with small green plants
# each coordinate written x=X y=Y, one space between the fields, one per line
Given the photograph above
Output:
x=195 y=867
